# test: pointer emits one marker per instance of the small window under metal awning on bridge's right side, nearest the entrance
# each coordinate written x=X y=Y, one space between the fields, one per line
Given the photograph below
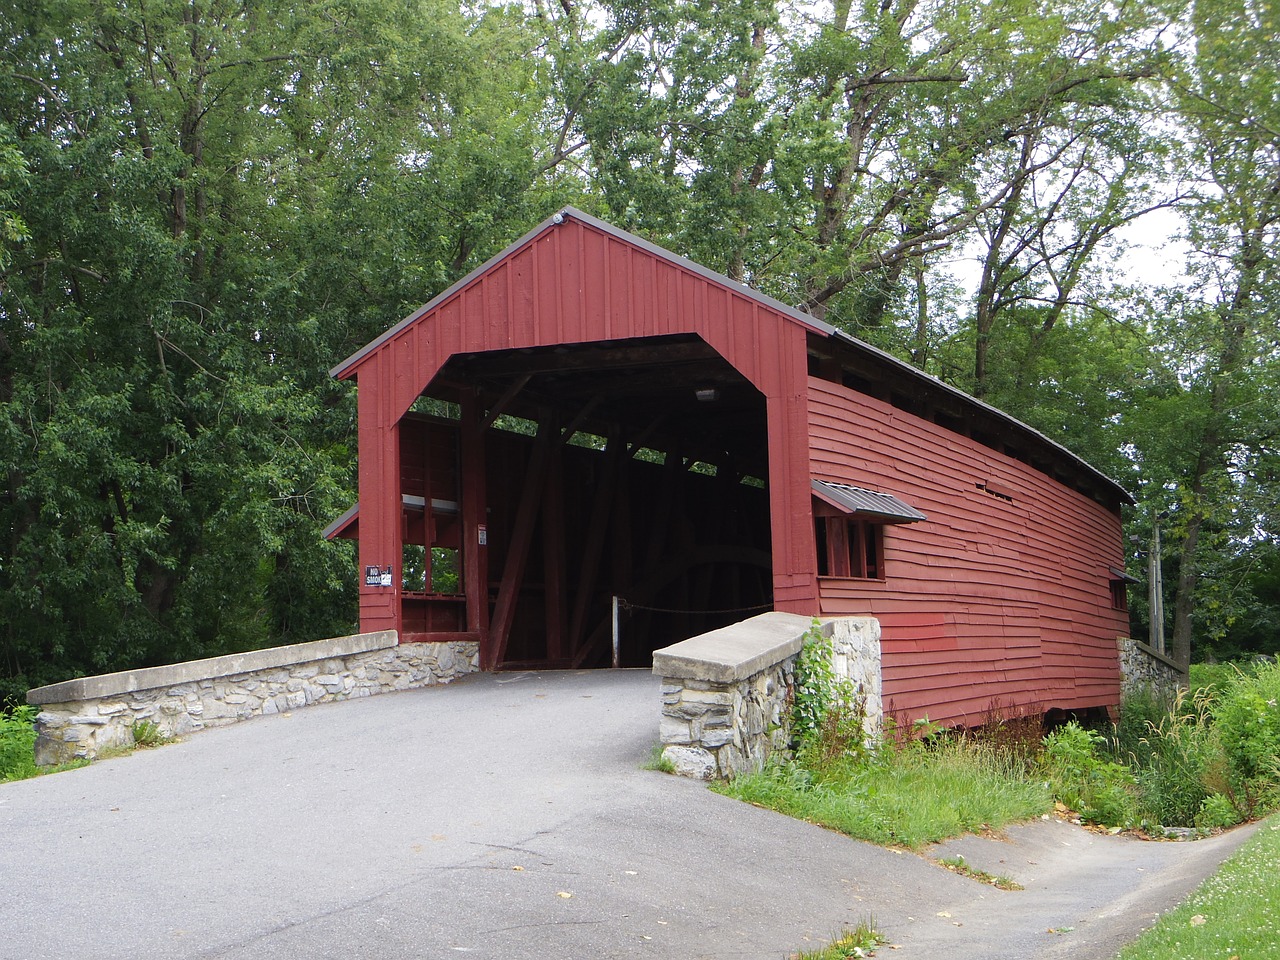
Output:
x=849 y=529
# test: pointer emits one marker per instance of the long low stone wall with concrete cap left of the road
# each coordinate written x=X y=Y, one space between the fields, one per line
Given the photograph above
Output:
x=83 y=717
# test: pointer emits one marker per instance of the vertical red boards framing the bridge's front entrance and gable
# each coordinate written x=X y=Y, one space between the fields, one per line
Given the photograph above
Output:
x=574 y=284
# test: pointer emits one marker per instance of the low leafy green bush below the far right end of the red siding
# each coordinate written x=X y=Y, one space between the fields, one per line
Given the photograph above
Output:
x=1086 y=781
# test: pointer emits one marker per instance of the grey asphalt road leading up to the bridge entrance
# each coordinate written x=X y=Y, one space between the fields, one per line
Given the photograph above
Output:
x=508 y=816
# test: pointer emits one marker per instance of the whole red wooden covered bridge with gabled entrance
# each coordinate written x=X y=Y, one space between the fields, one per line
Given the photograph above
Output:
x=589 y=417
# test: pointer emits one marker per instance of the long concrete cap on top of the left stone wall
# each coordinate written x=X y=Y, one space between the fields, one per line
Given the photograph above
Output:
x=194 y=671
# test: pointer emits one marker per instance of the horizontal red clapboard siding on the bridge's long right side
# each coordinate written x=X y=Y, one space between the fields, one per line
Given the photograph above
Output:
x=988 y=605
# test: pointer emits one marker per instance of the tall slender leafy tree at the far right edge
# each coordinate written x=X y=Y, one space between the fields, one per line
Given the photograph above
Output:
x=1228 y=326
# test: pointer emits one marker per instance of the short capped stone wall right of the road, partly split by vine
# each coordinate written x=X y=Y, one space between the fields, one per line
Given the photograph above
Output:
x=726 y=696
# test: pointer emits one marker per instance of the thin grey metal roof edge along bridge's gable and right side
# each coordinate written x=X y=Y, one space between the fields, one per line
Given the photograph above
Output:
x=349 y=368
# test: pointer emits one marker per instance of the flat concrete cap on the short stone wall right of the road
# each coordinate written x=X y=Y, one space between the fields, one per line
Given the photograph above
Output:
x=737 y=652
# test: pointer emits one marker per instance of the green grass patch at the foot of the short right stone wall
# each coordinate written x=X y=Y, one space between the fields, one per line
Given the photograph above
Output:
x=907 y=797
